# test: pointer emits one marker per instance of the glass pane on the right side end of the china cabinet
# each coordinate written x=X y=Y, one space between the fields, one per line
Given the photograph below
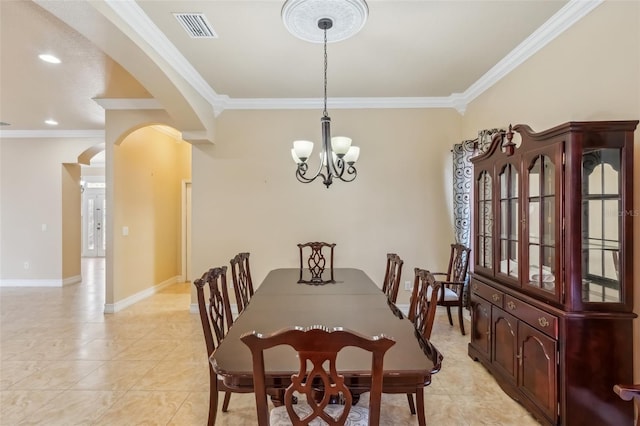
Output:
x=601 y=223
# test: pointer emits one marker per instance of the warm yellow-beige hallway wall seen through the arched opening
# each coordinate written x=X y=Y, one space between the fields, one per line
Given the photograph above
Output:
x=148 y=169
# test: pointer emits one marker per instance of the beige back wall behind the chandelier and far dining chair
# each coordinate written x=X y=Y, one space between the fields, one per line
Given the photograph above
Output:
x=246 y=198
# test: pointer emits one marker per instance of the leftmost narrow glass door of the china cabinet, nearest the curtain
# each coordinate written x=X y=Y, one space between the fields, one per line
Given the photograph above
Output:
x=484 y=226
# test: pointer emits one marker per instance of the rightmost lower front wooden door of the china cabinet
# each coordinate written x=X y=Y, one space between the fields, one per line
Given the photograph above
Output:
x=538 y=369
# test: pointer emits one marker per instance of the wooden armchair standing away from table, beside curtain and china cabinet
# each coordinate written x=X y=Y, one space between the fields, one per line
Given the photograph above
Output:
x=454 y=281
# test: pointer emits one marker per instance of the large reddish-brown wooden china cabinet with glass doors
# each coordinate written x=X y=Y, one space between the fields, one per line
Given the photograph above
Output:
x=552 y=280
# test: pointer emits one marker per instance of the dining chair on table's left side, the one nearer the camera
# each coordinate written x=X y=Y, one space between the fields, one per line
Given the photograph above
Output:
x=216 y=319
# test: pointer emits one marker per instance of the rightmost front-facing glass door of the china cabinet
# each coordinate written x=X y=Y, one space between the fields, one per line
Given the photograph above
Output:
x=540 y=225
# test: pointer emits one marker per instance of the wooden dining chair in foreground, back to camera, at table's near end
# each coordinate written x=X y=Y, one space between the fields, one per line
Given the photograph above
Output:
x=317 y=346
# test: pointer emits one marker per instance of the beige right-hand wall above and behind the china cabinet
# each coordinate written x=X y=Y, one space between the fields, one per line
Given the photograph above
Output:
x=591 y=72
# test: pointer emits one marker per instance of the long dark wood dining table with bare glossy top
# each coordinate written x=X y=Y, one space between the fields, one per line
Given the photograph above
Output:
x=353 y=301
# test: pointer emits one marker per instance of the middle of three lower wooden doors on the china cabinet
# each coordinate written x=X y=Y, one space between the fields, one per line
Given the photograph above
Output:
x=505 y=343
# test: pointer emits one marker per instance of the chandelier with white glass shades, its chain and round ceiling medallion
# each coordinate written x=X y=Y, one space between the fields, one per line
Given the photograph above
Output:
x=303 y=18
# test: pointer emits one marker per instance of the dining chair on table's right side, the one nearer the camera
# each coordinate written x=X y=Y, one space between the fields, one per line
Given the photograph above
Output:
x=422 y=312
